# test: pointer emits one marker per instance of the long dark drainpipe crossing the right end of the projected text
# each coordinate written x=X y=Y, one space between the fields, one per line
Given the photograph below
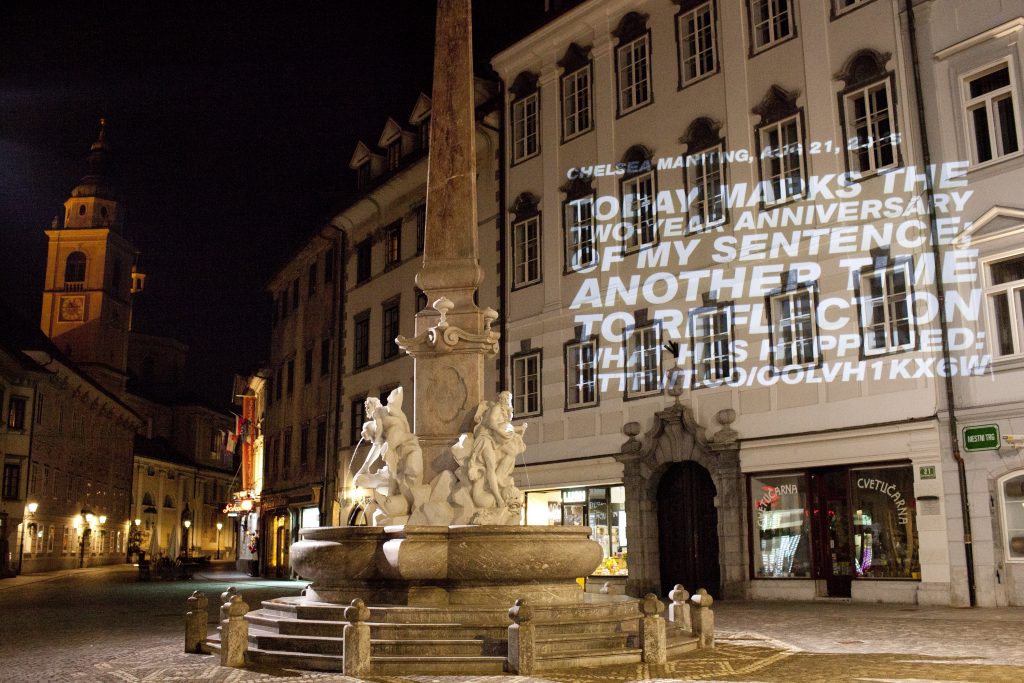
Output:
x=942 y=296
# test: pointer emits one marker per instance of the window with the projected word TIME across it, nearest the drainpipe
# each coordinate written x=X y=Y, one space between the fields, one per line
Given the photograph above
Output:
x=886 y=296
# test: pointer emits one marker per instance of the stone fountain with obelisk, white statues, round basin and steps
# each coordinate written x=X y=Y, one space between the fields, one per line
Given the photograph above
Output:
x=430 y=587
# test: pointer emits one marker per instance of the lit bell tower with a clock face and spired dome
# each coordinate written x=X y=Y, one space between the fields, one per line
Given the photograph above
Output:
x=92 y=276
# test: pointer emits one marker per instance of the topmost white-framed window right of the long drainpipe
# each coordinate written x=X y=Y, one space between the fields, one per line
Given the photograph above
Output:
x=992 y=112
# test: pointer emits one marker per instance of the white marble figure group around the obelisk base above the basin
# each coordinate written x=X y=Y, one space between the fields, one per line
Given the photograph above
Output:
x=481 y=491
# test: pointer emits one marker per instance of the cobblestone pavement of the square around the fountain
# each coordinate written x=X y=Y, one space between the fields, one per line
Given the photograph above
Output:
x=102 y=625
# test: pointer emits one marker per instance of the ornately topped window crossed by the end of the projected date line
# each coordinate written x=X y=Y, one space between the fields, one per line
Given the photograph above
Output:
x=870 y=121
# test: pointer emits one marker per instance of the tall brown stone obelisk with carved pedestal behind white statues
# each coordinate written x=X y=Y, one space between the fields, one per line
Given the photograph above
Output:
x=453 y=339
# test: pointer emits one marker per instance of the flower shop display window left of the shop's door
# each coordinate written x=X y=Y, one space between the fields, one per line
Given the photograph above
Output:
x=782 y=535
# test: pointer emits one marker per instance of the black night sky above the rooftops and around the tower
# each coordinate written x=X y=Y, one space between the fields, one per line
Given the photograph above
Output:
x=233 y=131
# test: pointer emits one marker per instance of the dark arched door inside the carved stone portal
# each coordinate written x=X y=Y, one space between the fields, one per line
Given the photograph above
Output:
x=688 y=524
